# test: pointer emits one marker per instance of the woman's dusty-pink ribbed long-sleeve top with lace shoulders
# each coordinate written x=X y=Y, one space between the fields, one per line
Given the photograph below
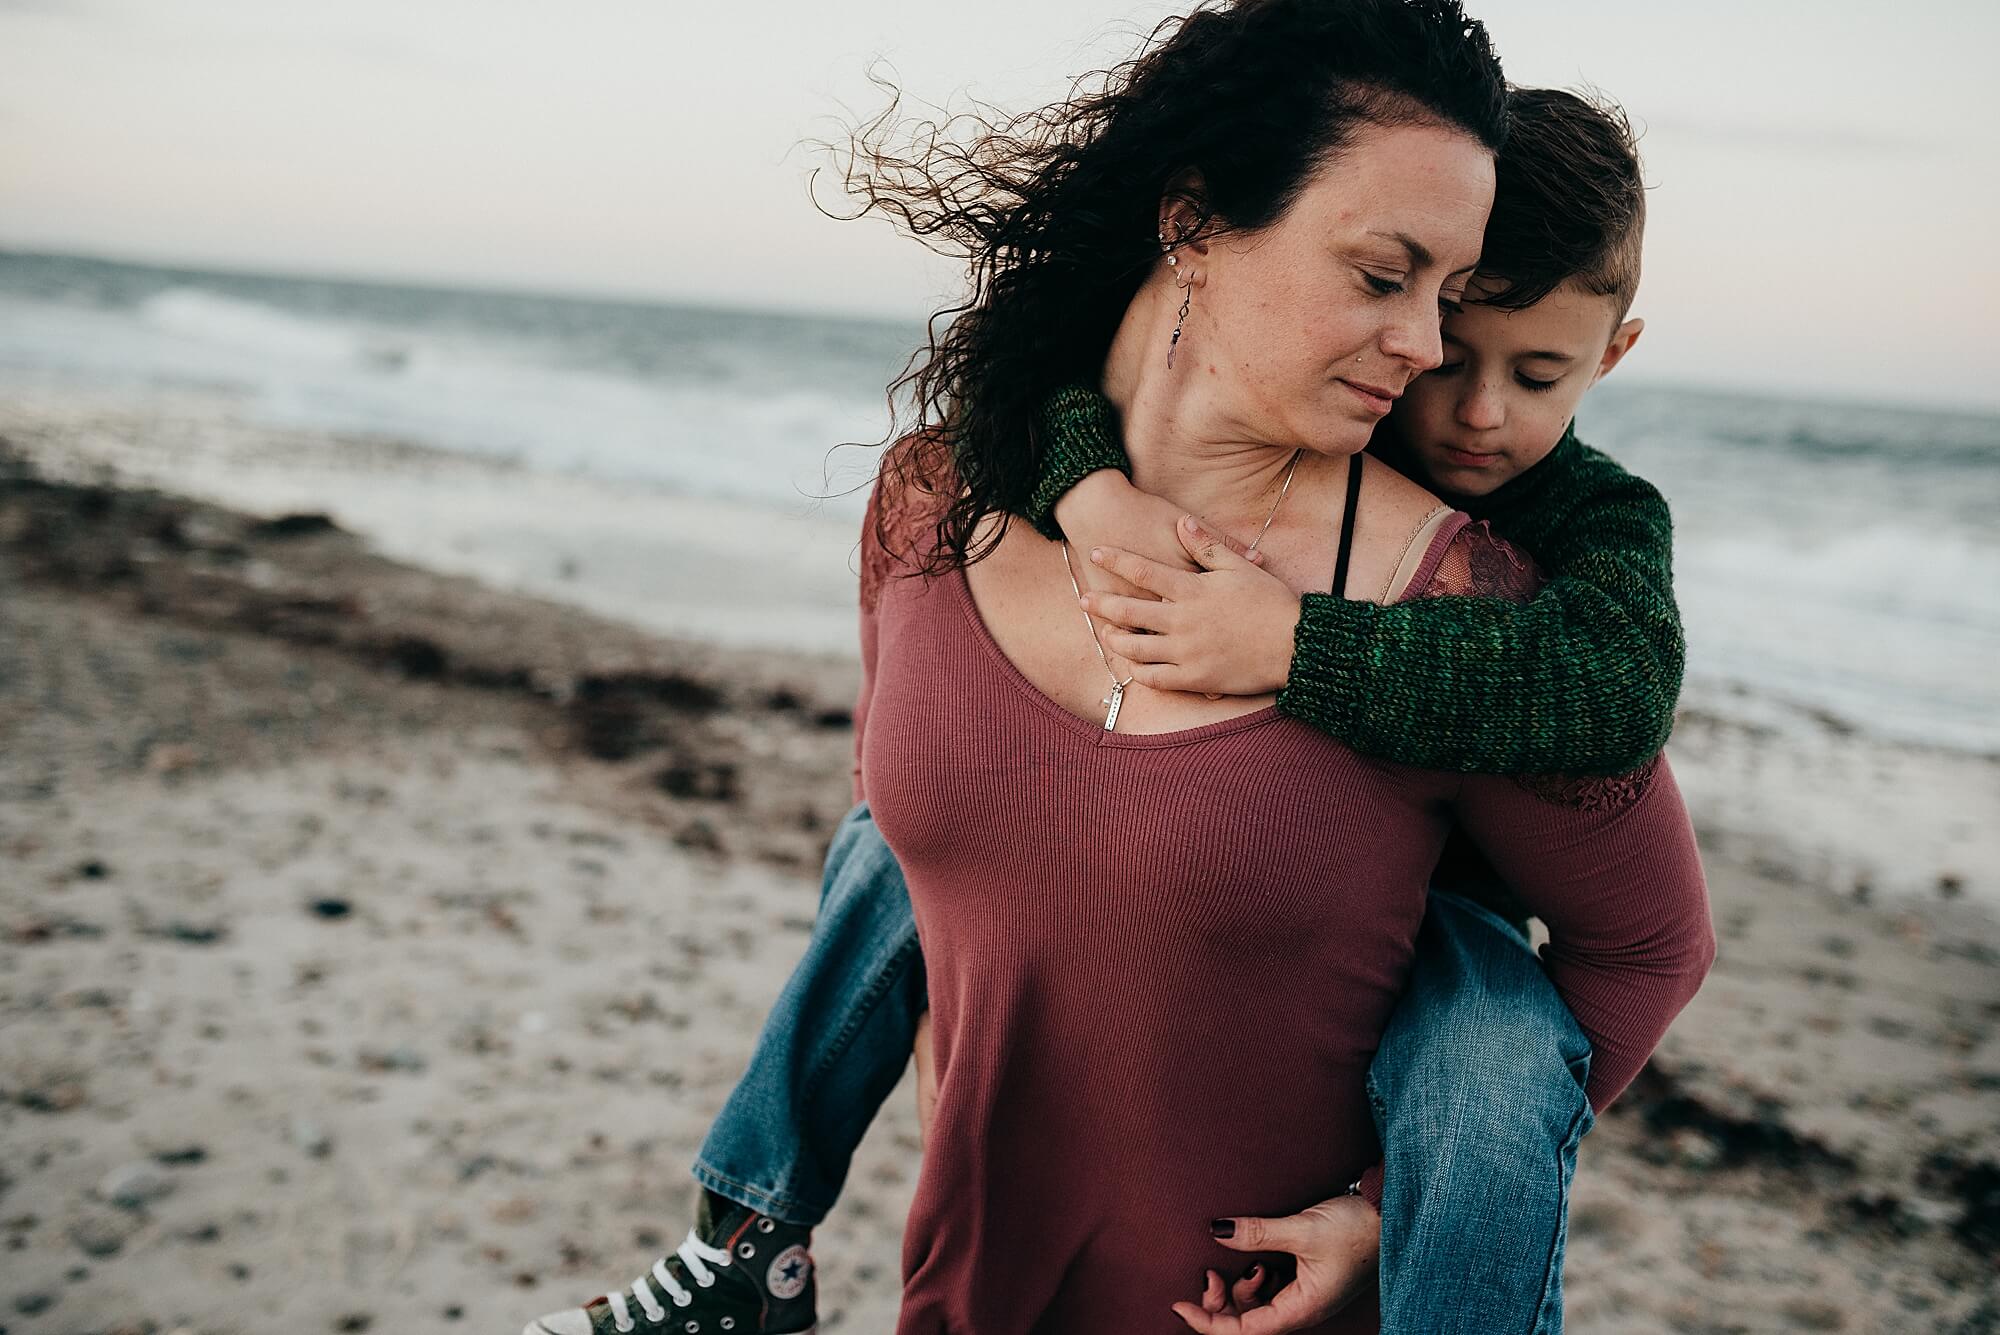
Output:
x=1161 y=962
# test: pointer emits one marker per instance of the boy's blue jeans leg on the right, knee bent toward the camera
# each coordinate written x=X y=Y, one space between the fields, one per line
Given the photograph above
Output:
x=1479 y=1100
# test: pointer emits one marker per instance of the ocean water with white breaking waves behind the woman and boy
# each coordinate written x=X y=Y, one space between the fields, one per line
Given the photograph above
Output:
x=1839 y=565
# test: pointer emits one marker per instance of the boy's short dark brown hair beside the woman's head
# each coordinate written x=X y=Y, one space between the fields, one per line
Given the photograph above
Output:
x=1569 y=203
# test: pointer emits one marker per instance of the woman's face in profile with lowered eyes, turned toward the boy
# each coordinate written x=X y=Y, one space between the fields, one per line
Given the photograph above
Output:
x=1321 y=321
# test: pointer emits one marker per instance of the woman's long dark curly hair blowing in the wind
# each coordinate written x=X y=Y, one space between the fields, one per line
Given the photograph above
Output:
x=1057 y=211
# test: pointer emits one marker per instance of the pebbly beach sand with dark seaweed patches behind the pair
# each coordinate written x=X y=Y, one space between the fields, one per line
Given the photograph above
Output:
x=377 y=944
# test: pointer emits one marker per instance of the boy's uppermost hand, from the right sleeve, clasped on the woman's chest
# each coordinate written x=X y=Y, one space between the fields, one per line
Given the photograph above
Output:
x=1225 y=631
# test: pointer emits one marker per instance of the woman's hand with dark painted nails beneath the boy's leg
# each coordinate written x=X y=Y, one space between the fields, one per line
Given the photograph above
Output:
x=1337 y=1246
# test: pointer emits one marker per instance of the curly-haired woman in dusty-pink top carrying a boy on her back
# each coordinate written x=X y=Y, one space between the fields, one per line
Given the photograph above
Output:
x=1117 y=886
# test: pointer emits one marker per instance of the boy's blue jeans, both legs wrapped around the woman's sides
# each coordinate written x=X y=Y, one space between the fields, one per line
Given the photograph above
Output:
x=1477 y=1092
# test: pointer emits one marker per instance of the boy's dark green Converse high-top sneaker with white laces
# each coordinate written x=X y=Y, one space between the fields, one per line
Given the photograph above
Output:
x=737 y=1274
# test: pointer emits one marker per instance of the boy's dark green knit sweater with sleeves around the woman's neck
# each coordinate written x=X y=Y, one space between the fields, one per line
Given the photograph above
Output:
x=1579 y=680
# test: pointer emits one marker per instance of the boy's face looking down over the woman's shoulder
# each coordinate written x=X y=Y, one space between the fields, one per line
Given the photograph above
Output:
x=1509 y=385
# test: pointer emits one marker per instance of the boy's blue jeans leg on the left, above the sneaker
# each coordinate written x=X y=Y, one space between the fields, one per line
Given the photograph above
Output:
x=833 y=1046
